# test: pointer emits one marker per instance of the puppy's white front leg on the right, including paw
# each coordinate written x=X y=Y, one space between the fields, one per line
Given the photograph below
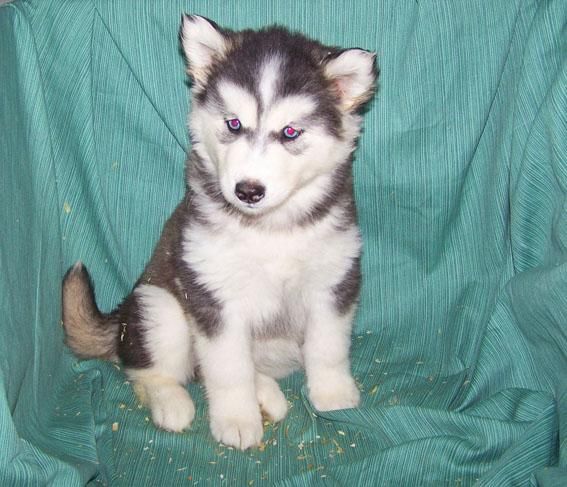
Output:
x=326 y=354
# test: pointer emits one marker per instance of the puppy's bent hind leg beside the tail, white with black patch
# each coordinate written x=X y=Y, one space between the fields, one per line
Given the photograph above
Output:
x=164 y=335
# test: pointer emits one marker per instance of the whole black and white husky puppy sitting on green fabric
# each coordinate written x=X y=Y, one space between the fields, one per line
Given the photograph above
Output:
x=257 y=271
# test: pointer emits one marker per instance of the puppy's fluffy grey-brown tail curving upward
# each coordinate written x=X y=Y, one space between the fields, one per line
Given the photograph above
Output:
x=90 y=333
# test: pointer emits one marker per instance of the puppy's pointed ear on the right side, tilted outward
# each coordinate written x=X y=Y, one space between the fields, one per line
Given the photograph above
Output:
x=353 y=74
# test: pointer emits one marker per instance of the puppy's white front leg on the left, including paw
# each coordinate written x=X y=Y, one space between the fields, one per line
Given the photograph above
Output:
x=228 y=374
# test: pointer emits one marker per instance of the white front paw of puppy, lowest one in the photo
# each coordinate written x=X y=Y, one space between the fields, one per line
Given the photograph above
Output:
x=239 y=431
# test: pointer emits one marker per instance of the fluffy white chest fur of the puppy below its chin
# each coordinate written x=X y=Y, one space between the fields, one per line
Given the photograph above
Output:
x=259 y=275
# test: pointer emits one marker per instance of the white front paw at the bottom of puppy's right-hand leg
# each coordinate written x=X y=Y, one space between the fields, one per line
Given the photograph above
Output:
x=338 y=392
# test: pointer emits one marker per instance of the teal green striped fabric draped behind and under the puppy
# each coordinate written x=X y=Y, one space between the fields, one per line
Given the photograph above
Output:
x=460 y=345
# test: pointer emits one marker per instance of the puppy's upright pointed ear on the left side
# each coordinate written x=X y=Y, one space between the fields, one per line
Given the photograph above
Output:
x=203 y=42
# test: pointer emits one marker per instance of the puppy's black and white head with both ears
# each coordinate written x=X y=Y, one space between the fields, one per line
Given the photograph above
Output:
x=273 y=112
